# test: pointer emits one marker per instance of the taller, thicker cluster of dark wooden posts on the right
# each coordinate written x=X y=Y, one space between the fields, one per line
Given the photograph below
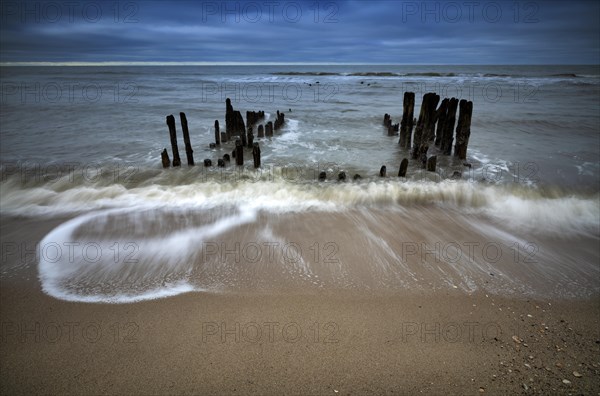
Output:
x=435 y=125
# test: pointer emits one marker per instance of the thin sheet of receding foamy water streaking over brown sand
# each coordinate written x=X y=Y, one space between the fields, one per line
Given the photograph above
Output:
x=127 y=255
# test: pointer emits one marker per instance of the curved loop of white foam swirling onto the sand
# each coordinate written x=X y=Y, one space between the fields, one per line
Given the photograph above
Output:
x=155 y=259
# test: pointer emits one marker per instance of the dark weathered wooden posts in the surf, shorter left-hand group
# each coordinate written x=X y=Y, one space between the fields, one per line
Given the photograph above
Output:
x=234 y=127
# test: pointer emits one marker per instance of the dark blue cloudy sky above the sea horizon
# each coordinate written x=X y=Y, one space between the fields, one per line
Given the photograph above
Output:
x=280 y=31
